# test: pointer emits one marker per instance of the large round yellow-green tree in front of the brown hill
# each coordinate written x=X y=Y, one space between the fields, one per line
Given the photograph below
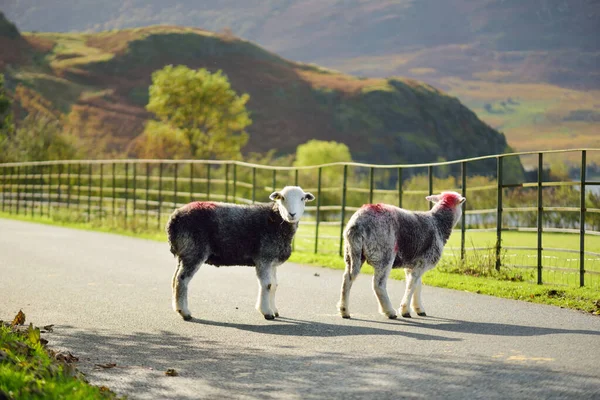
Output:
x=201 y=109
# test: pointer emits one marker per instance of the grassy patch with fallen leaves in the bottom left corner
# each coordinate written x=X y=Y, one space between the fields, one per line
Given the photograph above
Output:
x=28 y=370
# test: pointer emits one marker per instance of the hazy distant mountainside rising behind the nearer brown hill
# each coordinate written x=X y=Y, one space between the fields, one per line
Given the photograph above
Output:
x=527 y=68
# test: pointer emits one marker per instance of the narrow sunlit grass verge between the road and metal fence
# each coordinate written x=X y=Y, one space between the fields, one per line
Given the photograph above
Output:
x=475 y=274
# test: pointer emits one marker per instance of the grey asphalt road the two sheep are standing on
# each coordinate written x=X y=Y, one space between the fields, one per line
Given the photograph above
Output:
x=109 y=299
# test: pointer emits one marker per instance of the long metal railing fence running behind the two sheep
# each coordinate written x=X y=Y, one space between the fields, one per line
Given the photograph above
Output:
x=141 y=194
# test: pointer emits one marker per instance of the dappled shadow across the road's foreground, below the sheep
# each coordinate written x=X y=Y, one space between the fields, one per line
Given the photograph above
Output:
x=241 y=369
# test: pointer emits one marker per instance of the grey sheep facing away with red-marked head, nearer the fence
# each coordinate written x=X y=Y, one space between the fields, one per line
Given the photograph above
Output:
x=389 y=237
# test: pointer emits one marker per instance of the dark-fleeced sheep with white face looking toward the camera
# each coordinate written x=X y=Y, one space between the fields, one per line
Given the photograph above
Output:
x=223 y=234
